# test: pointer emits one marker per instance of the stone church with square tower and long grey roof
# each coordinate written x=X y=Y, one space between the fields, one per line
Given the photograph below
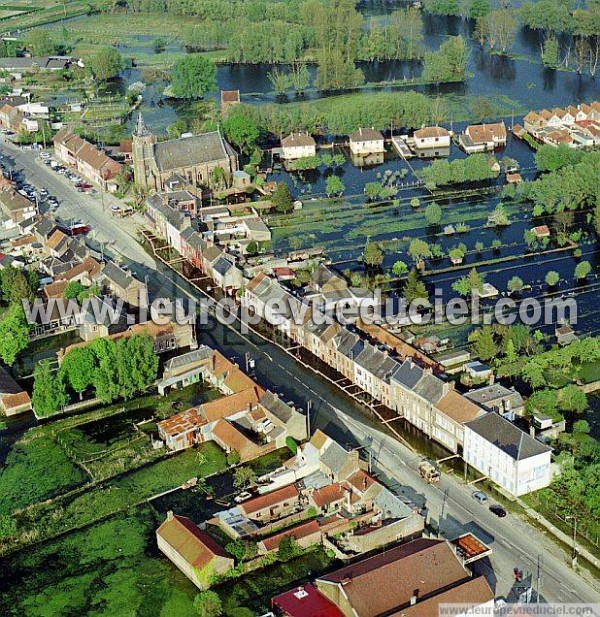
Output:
x=194 y=157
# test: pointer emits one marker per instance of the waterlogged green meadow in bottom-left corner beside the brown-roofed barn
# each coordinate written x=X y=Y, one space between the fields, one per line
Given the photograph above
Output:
x=111 y=568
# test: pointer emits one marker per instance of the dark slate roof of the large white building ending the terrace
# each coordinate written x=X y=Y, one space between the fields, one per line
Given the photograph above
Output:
x=507 y=437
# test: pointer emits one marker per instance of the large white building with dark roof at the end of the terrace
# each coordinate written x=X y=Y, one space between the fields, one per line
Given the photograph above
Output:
x=511 y=458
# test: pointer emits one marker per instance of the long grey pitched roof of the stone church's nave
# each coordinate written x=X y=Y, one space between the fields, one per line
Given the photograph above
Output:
x=190 y=151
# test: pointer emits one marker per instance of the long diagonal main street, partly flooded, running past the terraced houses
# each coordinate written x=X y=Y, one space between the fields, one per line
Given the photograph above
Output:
x=515 y=543
